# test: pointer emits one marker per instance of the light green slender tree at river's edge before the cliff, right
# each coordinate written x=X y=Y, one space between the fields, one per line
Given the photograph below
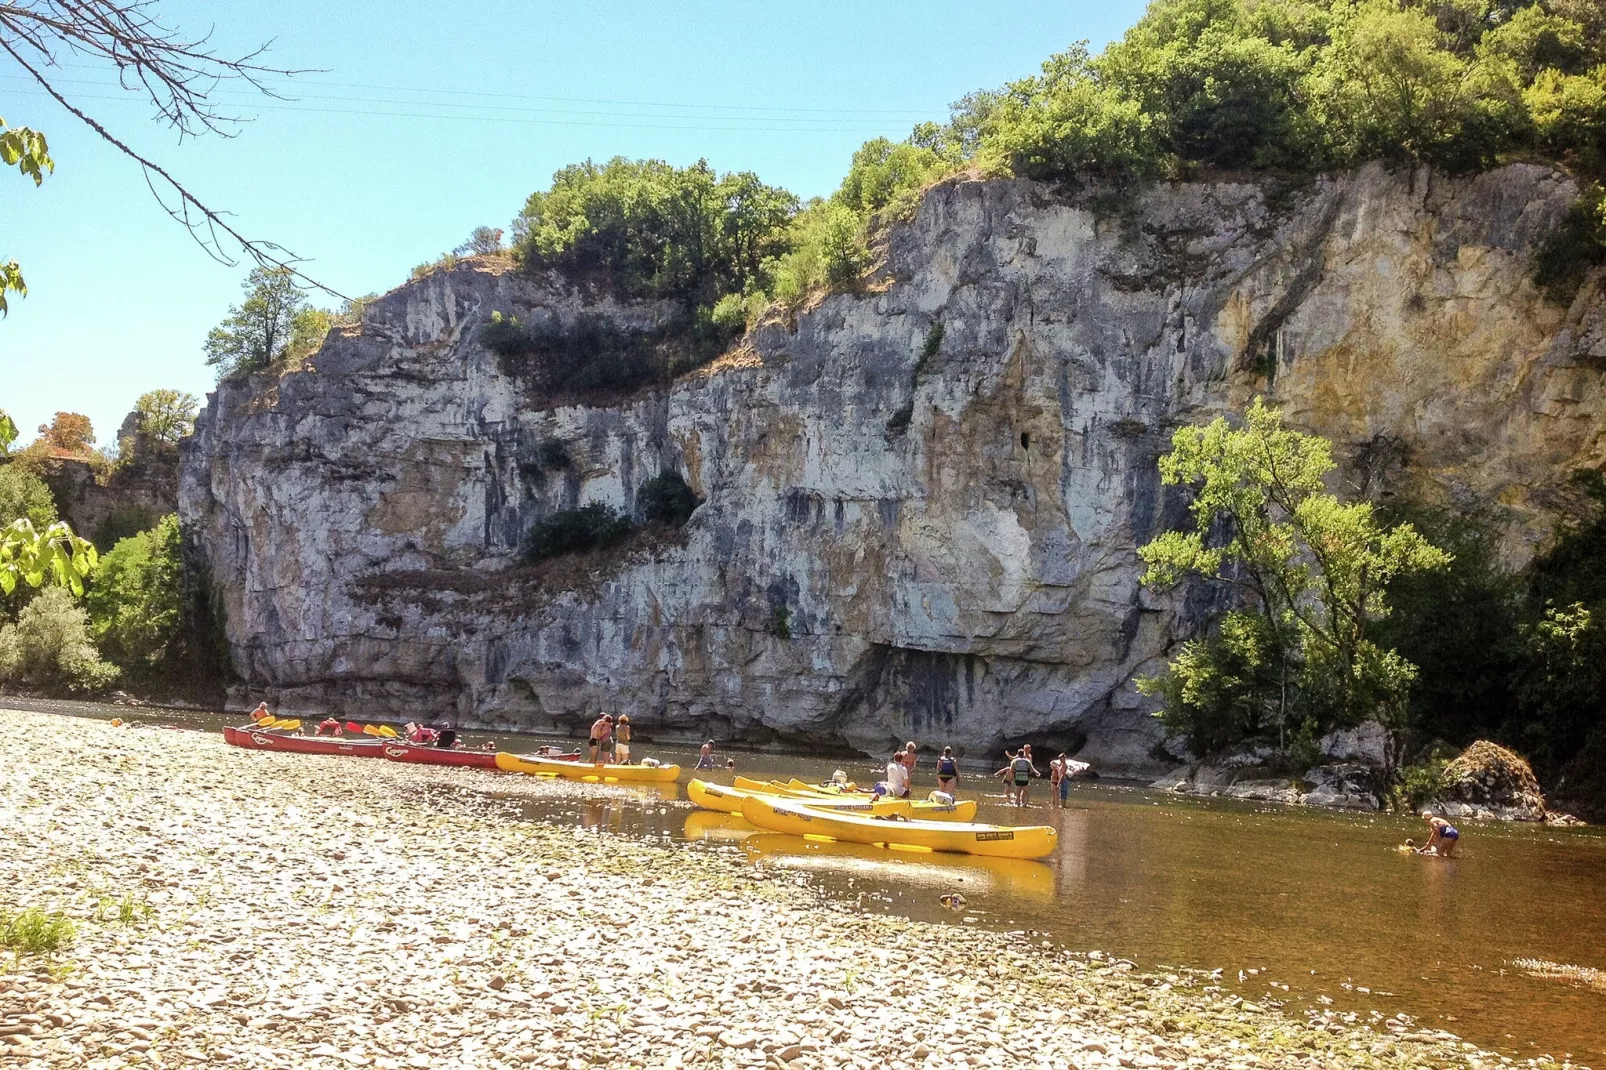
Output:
x=1297 y=658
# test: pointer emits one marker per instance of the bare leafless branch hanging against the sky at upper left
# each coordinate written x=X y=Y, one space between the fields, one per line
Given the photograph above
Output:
x=176 y=73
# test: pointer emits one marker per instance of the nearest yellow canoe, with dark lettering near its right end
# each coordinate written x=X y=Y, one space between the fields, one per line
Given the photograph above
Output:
x=993 y=841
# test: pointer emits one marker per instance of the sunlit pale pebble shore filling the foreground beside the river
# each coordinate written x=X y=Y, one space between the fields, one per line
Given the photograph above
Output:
x=272 y=910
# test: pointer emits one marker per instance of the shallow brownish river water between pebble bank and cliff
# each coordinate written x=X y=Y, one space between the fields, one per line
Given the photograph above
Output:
x=1303 y=909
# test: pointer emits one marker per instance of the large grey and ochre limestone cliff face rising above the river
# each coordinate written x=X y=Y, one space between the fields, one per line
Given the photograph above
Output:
x=923 y=502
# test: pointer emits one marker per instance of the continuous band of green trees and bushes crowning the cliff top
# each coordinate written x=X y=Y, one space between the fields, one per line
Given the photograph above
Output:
x=1196 y=88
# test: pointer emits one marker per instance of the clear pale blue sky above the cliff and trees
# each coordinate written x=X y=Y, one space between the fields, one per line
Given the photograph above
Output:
x=428 y=120
